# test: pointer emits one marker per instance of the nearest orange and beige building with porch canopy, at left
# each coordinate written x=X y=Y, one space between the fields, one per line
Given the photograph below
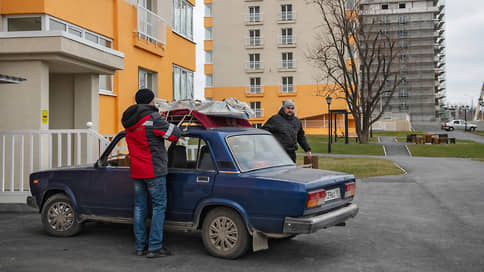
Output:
x=84 y=60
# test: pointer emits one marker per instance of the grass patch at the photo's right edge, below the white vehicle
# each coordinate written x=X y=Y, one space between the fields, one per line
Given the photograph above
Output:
x=463 y=149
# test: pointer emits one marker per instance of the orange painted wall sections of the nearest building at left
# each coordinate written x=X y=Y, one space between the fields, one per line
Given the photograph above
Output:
x=117 y=20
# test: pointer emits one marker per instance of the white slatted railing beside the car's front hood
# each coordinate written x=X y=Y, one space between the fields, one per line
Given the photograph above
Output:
x=25 y=151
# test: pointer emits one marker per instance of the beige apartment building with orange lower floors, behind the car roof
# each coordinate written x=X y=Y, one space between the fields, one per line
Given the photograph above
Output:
x=256 y=51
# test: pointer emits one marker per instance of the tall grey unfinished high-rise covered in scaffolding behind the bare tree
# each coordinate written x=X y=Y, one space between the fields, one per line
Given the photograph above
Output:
x=418 y=28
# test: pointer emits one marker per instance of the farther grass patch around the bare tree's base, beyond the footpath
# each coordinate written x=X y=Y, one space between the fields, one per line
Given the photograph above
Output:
x=319 y=144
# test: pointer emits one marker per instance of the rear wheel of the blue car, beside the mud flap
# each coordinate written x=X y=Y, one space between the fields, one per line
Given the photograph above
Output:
x=224 y=234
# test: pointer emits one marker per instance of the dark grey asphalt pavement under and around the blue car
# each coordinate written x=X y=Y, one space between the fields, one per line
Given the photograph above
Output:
x=430 y=219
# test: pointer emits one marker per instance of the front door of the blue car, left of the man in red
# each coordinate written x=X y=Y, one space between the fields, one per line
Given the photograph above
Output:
x=111 y=186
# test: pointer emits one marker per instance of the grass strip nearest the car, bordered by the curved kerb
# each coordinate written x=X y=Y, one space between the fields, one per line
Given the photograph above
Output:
x=359 y=167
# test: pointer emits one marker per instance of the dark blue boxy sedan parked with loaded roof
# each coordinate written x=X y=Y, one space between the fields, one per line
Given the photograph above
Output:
x=235 y=185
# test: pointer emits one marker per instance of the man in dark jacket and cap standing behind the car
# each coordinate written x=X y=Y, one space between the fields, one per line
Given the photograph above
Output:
x=287 y=129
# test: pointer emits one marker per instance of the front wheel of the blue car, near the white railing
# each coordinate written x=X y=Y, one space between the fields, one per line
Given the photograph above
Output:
x=59 y=216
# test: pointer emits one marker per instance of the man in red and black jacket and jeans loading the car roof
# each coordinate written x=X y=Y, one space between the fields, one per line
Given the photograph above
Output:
x=146 y=132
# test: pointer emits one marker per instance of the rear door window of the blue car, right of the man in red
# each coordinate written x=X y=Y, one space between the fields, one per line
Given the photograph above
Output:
x=190 y=153
